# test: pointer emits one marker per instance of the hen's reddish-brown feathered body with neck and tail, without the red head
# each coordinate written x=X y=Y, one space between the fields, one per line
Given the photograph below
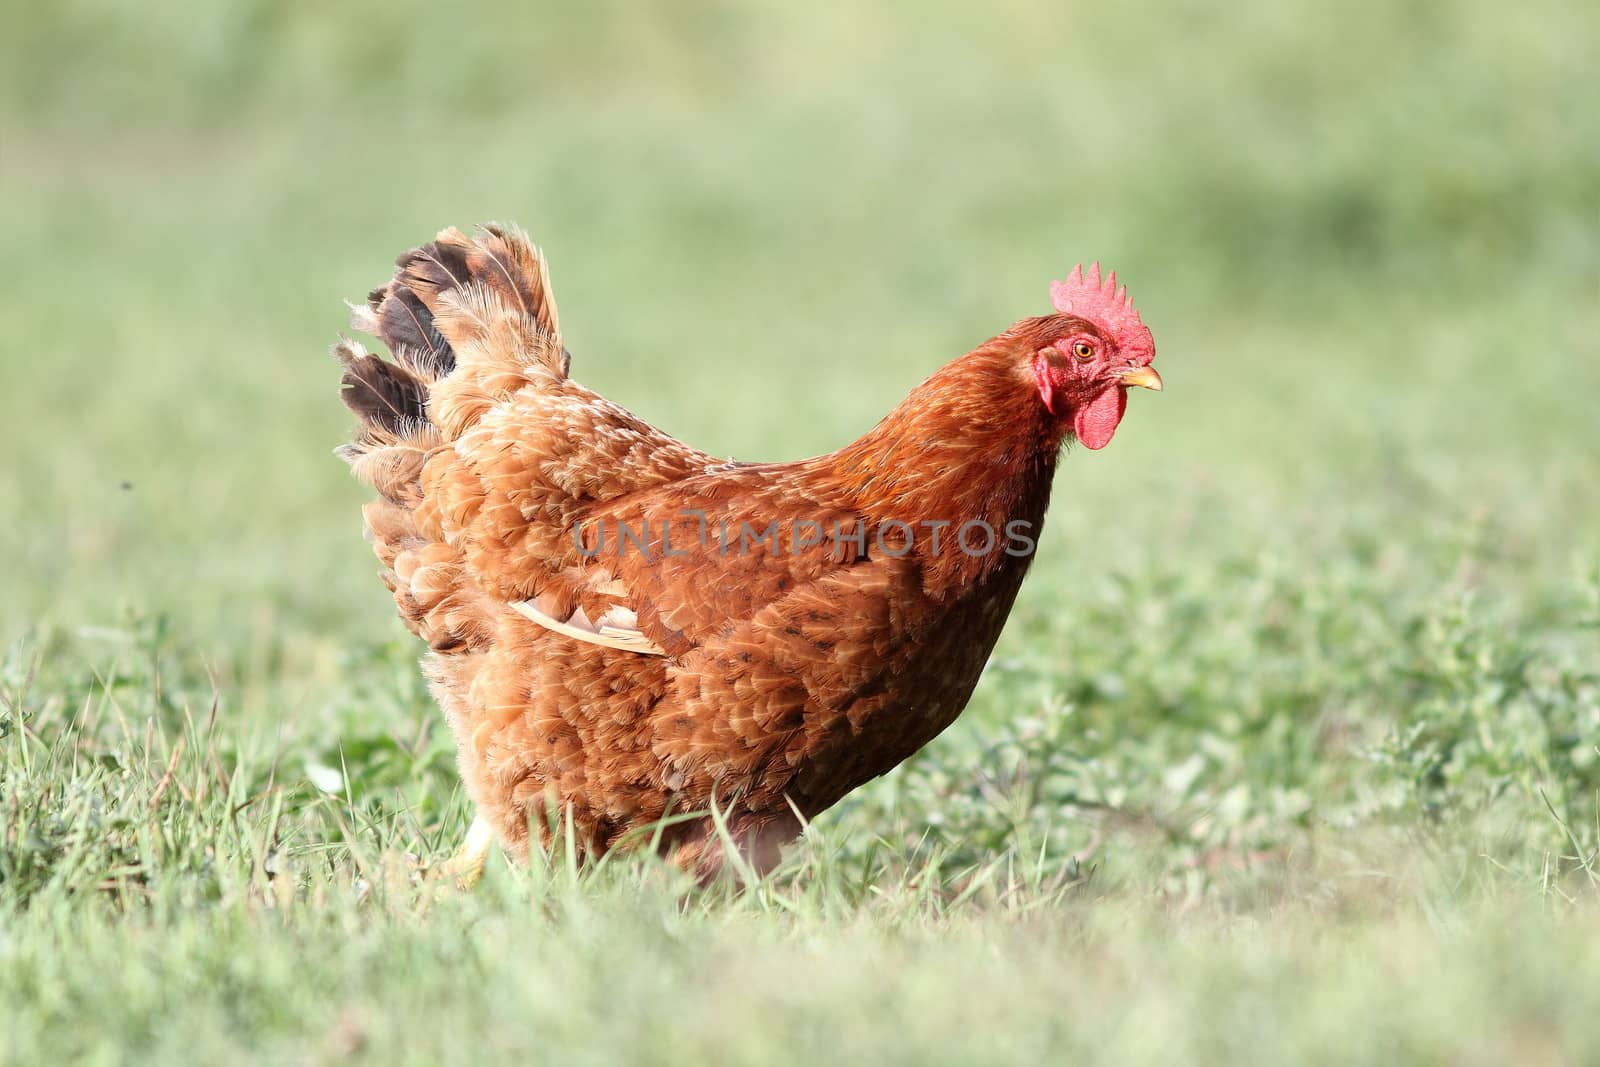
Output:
x=606 y=681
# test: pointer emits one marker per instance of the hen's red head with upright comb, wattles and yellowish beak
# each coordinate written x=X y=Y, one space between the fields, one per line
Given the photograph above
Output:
x=1090 y=353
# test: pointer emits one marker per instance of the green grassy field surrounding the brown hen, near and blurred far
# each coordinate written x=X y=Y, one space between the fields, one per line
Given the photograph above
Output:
x=1292 y=748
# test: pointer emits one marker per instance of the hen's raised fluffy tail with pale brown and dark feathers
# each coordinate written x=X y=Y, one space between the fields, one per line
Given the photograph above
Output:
x=468 y=321
